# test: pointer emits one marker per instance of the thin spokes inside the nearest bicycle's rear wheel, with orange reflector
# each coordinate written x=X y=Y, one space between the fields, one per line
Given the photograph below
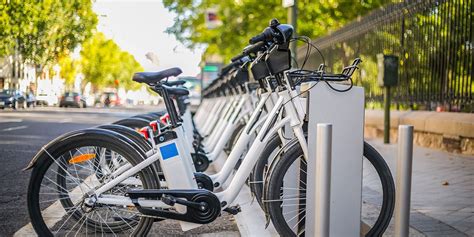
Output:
x=64 y=184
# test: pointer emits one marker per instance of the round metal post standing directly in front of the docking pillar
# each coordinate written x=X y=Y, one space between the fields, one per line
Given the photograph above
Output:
x=323 y=179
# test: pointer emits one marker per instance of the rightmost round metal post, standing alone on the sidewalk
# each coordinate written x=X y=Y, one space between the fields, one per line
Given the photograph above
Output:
x=404 y=169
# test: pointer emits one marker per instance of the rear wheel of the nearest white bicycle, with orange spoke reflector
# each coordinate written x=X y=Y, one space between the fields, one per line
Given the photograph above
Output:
x=62 y=179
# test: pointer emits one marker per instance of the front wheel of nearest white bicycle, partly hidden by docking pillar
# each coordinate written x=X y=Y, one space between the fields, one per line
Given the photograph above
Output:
x=286 y=201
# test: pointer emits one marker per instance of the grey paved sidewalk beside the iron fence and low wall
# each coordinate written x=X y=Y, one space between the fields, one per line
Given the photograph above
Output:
x=442 y=198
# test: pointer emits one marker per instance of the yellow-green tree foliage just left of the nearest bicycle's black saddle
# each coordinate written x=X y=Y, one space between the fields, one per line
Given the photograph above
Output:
x=104 y=64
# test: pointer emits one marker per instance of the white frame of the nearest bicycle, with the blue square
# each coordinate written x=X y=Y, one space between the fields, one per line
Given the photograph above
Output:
x=293 y=118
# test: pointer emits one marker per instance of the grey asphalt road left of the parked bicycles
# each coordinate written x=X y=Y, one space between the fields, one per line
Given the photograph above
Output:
x=22 y=134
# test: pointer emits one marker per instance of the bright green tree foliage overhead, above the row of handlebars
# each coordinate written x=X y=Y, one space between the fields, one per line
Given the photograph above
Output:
x=243 y=19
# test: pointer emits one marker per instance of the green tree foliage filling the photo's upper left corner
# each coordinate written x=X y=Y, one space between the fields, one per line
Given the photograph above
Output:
x=43 y=31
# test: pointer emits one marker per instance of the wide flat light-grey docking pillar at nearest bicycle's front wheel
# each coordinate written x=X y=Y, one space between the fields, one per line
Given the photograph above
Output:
x=335 y=142
